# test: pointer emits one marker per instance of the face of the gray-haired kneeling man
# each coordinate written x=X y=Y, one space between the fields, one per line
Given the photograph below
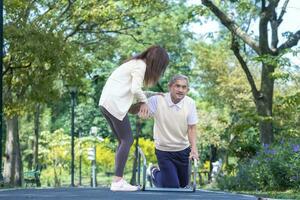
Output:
x=178 y=90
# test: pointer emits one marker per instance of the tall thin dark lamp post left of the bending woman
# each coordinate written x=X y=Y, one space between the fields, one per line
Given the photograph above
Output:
x=73 y=91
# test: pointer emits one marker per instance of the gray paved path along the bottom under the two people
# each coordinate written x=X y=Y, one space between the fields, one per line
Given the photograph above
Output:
x=106 y=194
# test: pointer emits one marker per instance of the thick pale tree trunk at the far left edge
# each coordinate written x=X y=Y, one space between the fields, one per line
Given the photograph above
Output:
x=13 y=169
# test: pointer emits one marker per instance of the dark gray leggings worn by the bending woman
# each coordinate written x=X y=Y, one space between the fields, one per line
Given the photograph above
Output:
x=122 y=130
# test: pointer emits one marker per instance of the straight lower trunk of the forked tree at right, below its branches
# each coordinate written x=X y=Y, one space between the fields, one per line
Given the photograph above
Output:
x=264 y=105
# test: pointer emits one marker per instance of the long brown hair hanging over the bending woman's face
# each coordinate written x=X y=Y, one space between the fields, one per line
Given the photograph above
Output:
x=157 y=60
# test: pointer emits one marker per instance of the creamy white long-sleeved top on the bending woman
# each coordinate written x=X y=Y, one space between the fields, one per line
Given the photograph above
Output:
x=123 y=85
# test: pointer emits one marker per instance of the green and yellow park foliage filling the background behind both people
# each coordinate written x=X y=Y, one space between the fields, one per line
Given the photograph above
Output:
x=50 y=46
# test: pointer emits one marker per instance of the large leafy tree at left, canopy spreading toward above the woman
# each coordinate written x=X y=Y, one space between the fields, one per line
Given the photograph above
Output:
x=50 y=44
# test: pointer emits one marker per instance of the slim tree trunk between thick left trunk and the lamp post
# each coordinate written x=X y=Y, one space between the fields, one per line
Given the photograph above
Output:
x=36 y=135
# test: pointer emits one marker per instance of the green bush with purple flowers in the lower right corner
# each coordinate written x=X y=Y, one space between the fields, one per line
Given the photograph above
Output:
x=275 y=167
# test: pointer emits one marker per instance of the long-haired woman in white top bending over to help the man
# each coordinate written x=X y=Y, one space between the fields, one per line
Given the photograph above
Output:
x=123 y=85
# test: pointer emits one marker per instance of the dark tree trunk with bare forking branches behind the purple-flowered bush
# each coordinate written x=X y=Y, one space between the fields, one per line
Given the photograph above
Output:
x=269 y=53
